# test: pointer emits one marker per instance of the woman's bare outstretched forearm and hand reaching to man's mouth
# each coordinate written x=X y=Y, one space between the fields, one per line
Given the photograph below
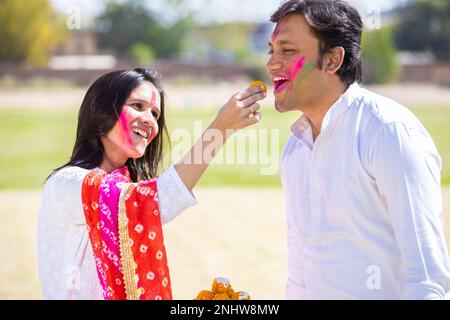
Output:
x=239 y=112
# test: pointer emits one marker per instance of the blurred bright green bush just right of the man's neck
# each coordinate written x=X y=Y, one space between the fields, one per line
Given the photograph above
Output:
x=379 y=56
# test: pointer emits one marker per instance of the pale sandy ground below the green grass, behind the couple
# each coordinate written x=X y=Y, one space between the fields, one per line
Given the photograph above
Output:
x=244 y=240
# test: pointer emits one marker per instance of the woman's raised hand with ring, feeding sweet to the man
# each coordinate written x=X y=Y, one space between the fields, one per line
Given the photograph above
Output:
x=241 y=110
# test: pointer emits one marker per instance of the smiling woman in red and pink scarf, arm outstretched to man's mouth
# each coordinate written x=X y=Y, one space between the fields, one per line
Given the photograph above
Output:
x=99 y=234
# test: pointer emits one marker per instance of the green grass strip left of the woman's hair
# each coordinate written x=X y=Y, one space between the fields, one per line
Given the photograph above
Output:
x=33 y=143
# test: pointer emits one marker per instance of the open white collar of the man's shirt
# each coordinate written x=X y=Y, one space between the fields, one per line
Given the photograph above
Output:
x=301 y=128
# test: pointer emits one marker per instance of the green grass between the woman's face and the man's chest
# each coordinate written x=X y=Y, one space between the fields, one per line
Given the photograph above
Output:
x=224 y=172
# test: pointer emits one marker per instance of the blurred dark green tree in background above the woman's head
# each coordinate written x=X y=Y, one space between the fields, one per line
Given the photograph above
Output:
x=126 y=26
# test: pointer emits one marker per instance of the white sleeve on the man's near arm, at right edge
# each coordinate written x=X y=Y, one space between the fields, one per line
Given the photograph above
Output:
x=406 y=167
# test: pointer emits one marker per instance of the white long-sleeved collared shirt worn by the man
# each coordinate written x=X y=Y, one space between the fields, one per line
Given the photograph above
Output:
x=364 y=205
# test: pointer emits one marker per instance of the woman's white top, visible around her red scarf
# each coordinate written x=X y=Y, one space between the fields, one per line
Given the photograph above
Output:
x=65 y=257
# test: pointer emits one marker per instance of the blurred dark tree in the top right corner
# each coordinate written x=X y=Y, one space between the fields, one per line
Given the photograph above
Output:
x=425 y=25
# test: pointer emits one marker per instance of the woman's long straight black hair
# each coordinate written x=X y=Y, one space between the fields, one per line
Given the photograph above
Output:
x=100 y=111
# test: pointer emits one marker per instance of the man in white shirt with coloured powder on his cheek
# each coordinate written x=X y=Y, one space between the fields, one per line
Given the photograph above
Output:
x=360 y=172
